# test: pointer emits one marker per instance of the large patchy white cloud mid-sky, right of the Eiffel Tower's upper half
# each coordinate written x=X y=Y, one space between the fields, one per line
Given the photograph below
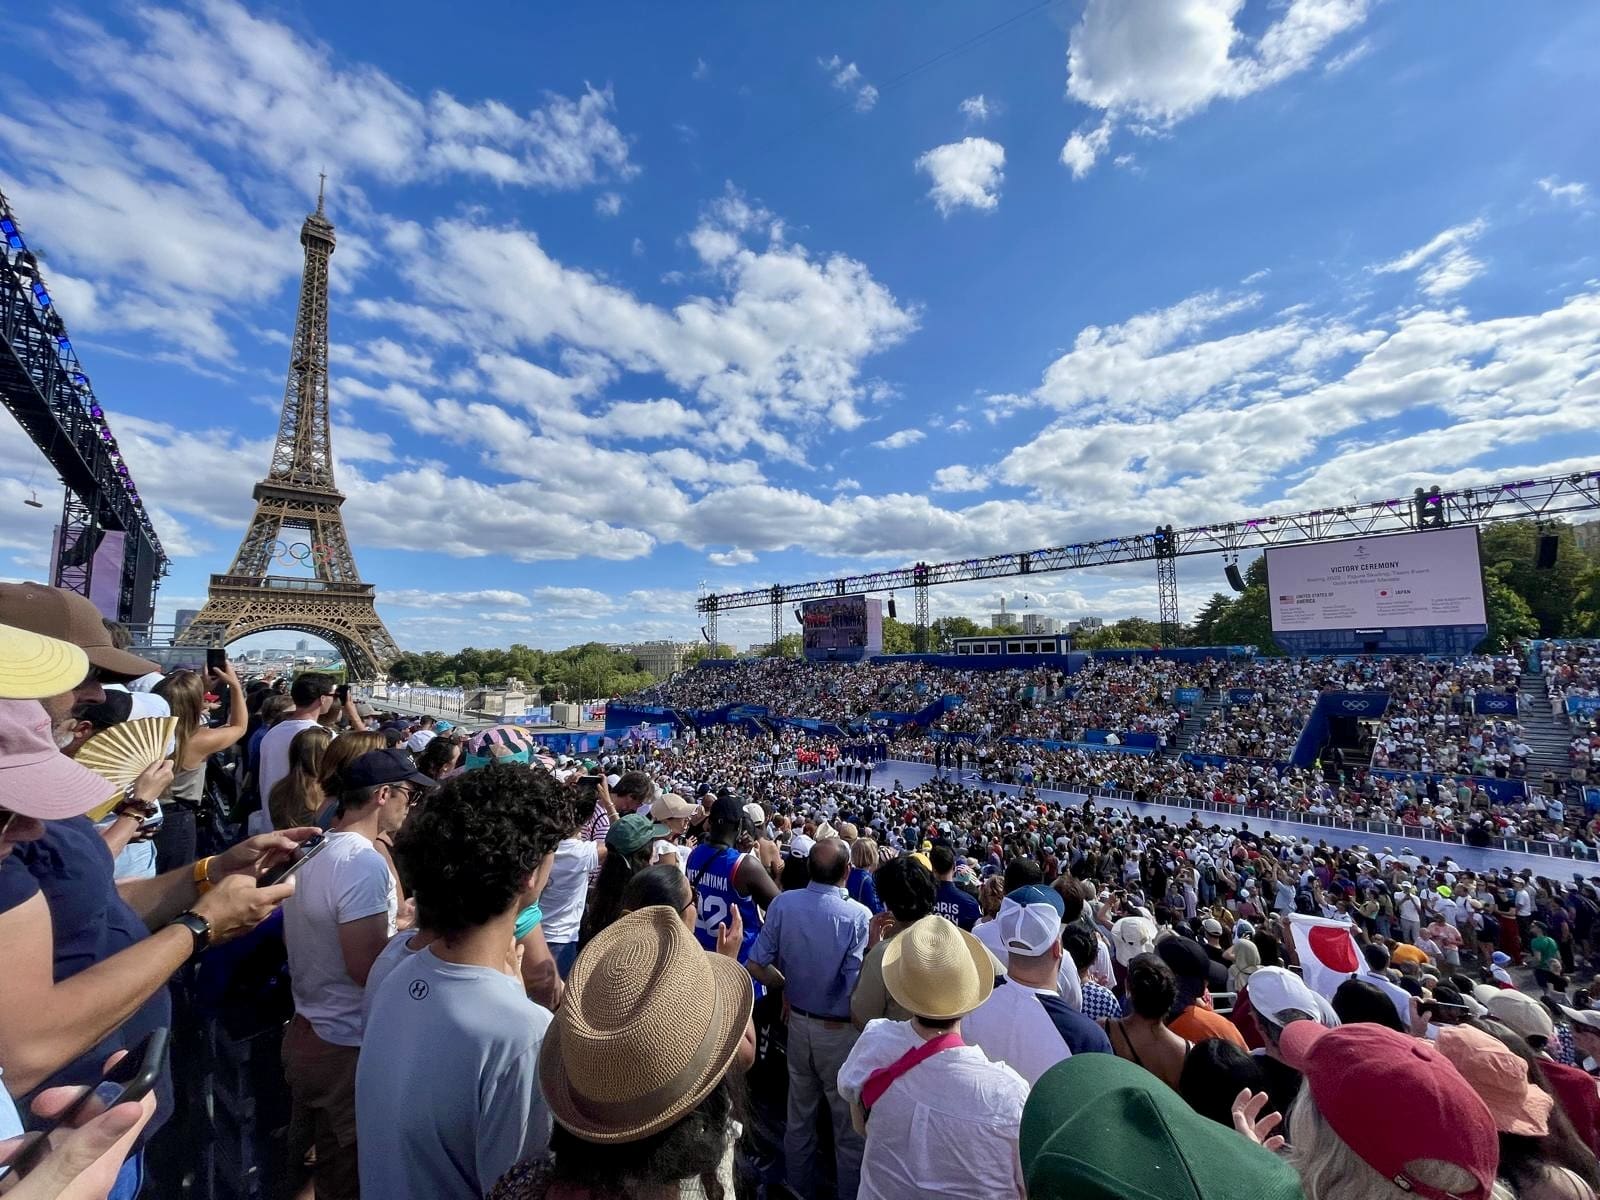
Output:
x=778 y=351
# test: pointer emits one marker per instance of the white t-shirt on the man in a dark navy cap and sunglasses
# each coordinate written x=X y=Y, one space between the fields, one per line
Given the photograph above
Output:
x=346 y=882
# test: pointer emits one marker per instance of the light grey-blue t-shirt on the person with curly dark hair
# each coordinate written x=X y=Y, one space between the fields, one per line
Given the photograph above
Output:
x=447 y=1089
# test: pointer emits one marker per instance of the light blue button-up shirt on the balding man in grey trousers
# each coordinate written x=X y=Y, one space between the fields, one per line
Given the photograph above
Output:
x=817 y=938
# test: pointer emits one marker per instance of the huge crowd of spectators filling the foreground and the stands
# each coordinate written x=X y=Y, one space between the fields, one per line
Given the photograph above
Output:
x=695 y=967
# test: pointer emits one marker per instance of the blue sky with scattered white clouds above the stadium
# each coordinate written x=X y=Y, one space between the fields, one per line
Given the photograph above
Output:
x=639 y=298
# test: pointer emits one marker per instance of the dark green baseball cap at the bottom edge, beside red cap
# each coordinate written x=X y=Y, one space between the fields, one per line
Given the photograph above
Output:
x=1102 y=1129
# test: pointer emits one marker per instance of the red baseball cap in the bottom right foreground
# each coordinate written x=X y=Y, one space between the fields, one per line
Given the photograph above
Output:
x=1396 y=1100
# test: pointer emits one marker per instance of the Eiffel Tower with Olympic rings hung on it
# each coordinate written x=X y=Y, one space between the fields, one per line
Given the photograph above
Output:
x=298 y=513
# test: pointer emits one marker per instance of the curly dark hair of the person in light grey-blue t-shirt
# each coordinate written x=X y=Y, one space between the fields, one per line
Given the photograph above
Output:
x=468 y=854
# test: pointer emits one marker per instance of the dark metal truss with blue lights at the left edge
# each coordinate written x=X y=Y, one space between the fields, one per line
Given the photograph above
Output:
x=42 y=383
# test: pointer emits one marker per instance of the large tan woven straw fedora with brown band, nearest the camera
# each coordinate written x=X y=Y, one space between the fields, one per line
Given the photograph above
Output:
x=649 y=1028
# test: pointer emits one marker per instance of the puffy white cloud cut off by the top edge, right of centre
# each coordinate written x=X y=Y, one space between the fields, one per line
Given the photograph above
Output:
x=1161 y=62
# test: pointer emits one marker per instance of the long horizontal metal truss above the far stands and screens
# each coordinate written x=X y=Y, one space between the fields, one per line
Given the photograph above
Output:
x=1487 y=505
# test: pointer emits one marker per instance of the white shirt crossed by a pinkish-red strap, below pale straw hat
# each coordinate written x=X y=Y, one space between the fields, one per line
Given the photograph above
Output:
x=945 y=1129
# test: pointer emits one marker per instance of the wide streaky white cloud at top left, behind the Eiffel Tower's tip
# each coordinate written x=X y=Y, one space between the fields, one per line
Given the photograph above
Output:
x=146 y=186
